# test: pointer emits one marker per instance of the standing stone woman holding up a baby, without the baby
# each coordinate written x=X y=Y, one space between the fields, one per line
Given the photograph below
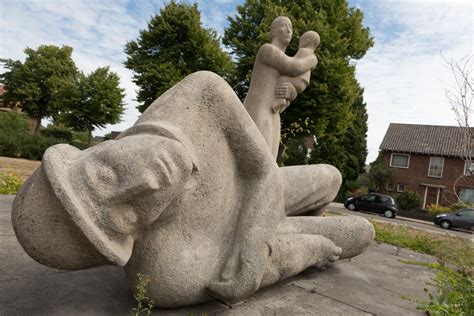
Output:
x=271 y=63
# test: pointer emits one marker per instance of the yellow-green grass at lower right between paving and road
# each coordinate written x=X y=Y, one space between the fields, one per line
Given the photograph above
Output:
x=454 y=267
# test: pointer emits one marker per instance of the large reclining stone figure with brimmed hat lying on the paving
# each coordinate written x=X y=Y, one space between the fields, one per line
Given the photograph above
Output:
x=190 y=196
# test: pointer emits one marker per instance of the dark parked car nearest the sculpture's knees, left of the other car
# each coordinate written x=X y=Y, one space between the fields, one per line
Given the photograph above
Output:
x=373 y=202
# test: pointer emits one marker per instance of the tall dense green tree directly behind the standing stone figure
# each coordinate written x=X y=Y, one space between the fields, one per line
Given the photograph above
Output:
x=333 y=101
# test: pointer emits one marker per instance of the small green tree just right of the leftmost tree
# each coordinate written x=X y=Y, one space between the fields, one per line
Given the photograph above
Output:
x=96 y=102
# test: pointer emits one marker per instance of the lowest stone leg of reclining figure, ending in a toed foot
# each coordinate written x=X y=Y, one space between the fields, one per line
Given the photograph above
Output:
x=293 y=253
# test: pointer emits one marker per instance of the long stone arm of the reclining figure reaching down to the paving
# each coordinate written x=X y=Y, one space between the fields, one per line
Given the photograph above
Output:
x=257 y=224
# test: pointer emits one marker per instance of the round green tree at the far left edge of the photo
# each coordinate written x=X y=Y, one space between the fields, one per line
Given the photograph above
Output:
x=43 y=83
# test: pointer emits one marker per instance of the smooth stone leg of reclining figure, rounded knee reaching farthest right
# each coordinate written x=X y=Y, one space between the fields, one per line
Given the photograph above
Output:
x=352 y=233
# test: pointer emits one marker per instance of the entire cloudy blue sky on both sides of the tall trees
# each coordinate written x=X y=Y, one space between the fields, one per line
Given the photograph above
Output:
x=404 y=74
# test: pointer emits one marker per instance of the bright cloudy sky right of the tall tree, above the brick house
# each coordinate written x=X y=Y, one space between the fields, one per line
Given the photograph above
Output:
x=403 y=74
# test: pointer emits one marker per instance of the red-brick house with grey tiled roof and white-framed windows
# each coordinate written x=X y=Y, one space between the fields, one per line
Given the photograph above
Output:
x=428 y=159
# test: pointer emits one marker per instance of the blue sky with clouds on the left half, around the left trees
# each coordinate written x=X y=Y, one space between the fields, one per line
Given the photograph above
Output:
x=97 y=31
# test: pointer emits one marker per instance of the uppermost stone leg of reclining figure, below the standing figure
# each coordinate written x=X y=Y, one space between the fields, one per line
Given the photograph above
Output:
x=309 y=188
